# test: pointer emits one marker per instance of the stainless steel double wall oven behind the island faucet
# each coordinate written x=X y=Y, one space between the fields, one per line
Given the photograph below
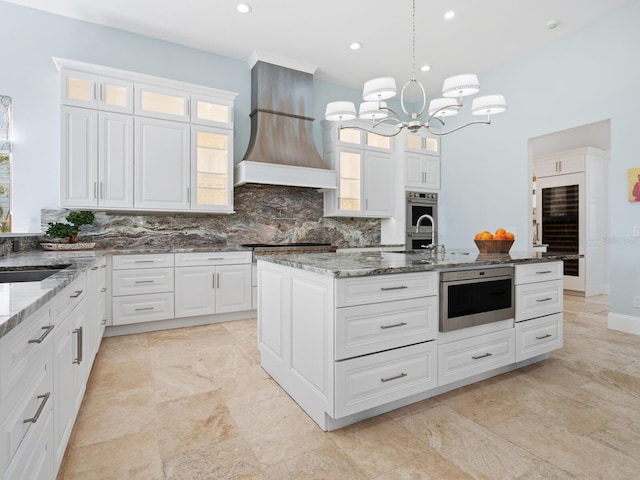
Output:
x=418 y=204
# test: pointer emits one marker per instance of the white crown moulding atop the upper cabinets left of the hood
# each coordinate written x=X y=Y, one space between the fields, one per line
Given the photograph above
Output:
x=142 y=78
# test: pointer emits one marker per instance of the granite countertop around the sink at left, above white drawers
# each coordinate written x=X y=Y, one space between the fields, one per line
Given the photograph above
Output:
x=20 y=299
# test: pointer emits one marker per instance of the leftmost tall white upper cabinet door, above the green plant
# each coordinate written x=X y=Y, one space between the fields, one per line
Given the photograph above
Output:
x=78 y=175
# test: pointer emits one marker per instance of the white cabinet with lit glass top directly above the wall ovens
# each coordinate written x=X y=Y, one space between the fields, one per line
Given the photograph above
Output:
x=421 y=161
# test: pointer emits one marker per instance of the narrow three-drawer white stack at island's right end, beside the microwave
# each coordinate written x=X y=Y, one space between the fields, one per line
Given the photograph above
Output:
x=539 y=304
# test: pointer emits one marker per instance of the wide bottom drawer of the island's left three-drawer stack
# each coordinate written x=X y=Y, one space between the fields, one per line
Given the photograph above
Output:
x=373 y=380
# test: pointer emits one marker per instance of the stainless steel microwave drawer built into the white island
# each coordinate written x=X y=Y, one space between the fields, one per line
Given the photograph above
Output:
x=475 y=297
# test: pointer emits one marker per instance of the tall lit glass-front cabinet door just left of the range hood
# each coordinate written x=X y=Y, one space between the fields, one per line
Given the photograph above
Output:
x=211 y=167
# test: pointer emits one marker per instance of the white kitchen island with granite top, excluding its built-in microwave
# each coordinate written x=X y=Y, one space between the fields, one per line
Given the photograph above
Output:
x=352 y=335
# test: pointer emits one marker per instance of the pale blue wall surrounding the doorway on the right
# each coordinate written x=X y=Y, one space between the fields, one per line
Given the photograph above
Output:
x=590 y=76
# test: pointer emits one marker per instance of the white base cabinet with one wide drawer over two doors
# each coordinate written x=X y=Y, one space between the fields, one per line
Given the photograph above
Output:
x=210 y=283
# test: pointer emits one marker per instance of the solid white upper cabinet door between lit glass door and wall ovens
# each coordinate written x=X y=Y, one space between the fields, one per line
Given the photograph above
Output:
x=378 y=184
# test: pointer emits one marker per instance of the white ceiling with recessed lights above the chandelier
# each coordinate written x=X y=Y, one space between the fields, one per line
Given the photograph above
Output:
x=318 y=33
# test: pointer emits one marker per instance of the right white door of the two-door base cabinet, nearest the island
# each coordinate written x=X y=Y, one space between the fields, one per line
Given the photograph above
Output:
x=233 y=292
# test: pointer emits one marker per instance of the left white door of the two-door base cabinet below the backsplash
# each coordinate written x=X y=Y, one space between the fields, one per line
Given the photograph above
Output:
x=195 y=291
